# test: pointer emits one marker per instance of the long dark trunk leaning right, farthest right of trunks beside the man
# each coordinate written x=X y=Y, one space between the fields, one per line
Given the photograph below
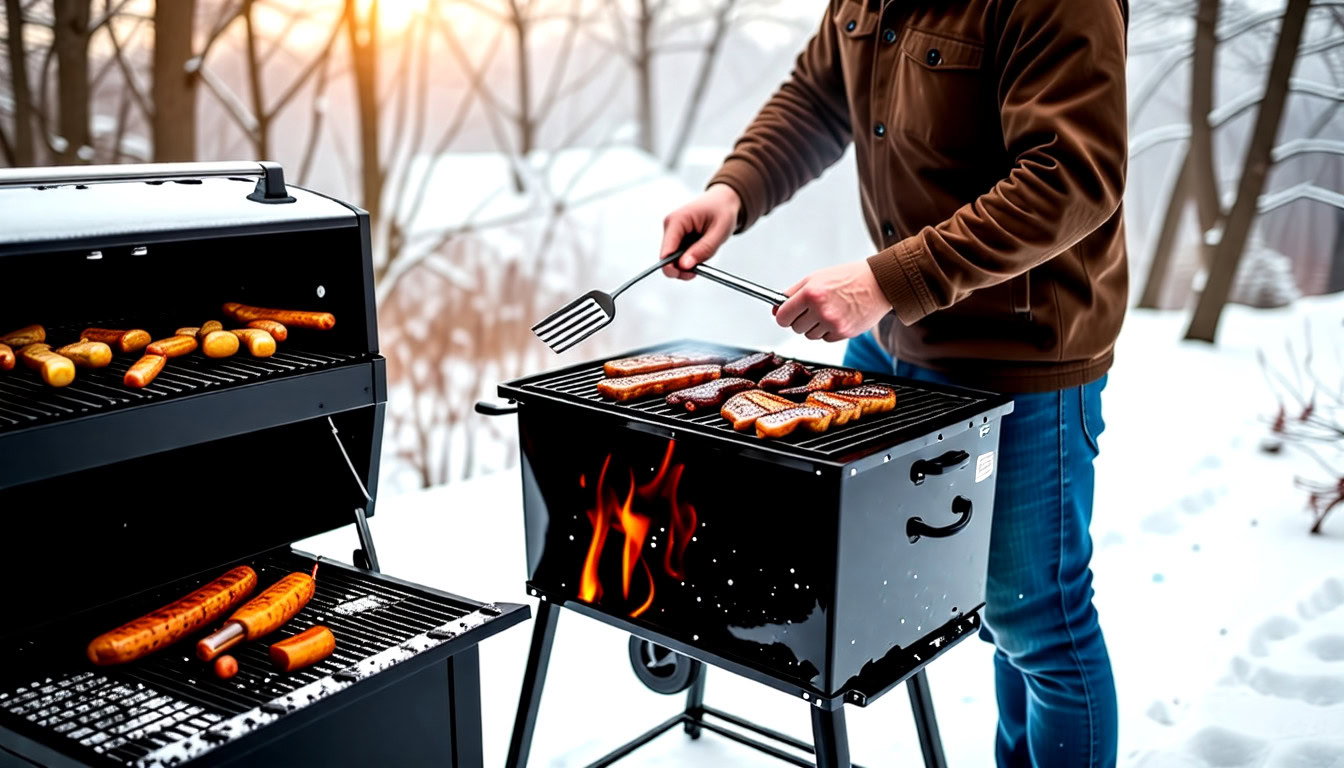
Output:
x=1228 y=255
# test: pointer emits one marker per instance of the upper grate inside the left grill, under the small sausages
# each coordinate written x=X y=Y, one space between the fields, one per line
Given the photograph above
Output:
x=26 y=401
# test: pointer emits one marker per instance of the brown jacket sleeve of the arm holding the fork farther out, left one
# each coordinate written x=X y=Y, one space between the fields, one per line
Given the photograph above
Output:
x=802 y=131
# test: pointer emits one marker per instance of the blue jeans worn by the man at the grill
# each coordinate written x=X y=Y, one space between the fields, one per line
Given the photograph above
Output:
x=1057 y=696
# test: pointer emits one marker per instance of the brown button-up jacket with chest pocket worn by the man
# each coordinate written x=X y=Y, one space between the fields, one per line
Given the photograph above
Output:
x=991 y=141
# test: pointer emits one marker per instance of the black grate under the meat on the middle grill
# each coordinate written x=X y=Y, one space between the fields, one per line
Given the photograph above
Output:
x=920 y=408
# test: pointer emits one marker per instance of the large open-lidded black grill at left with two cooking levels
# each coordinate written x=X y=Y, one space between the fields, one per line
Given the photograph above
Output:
x=119 y=501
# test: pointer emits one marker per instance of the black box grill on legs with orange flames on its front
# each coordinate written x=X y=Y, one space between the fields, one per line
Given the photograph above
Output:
x=831 y=567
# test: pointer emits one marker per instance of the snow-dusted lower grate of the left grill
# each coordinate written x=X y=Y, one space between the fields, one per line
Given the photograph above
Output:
x=127 y=714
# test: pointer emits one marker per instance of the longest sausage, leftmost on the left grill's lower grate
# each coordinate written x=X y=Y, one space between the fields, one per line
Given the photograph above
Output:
x=175 y=621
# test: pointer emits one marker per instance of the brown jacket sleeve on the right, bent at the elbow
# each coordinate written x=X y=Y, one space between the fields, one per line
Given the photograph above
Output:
x=1061 y=92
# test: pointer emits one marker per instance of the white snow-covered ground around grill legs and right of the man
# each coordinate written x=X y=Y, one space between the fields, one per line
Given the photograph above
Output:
x=1225 y=619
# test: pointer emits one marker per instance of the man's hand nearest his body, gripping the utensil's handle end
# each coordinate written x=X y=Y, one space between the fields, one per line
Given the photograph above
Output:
x=834 y=303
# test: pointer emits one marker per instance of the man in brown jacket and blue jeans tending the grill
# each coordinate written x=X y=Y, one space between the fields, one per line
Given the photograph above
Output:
x=991 y=143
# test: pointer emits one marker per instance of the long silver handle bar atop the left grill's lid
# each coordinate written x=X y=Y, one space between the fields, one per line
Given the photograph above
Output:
x=271 y=186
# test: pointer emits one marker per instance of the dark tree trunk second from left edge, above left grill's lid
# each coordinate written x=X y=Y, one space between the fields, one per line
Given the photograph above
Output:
x=71 y=37
